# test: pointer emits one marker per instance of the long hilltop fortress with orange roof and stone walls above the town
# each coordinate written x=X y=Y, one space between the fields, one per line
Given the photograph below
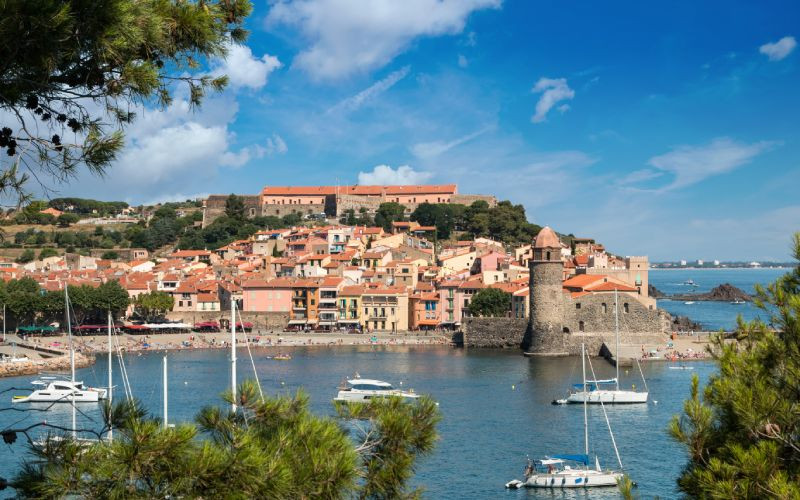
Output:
x=336 y=200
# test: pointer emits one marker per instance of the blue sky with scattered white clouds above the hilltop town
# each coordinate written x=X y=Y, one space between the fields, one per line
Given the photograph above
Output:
x=661 y=128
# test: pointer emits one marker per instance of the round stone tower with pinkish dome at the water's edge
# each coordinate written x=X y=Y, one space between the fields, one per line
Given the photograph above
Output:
x=546 y=301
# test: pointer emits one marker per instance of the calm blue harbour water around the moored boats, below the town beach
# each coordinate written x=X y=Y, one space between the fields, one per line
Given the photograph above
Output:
x=495 y=404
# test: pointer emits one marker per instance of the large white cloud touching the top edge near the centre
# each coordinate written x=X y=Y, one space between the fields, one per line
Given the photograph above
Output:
x=354 y=36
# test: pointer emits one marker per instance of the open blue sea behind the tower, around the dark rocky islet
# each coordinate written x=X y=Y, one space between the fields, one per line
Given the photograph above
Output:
x=712 y=315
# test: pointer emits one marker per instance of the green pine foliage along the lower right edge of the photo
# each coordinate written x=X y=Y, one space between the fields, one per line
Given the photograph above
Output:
x=743 y=434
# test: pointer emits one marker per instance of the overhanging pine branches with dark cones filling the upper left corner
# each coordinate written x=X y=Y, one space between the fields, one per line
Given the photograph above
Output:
x=73 y=69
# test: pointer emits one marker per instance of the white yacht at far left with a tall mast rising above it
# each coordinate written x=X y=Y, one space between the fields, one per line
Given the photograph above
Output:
x=58 y=390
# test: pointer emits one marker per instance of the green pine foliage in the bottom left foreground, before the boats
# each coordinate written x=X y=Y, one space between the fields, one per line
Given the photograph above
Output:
x=268 y=448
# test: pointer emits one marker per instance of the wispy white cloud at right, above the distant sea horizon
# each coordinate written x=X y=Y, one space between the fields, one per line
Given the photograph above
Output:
x=692 y=164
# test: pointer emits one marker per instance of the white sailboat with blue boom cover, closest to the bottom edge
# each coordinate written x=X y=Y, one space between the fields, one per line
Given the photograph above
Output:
x=571 y=470
